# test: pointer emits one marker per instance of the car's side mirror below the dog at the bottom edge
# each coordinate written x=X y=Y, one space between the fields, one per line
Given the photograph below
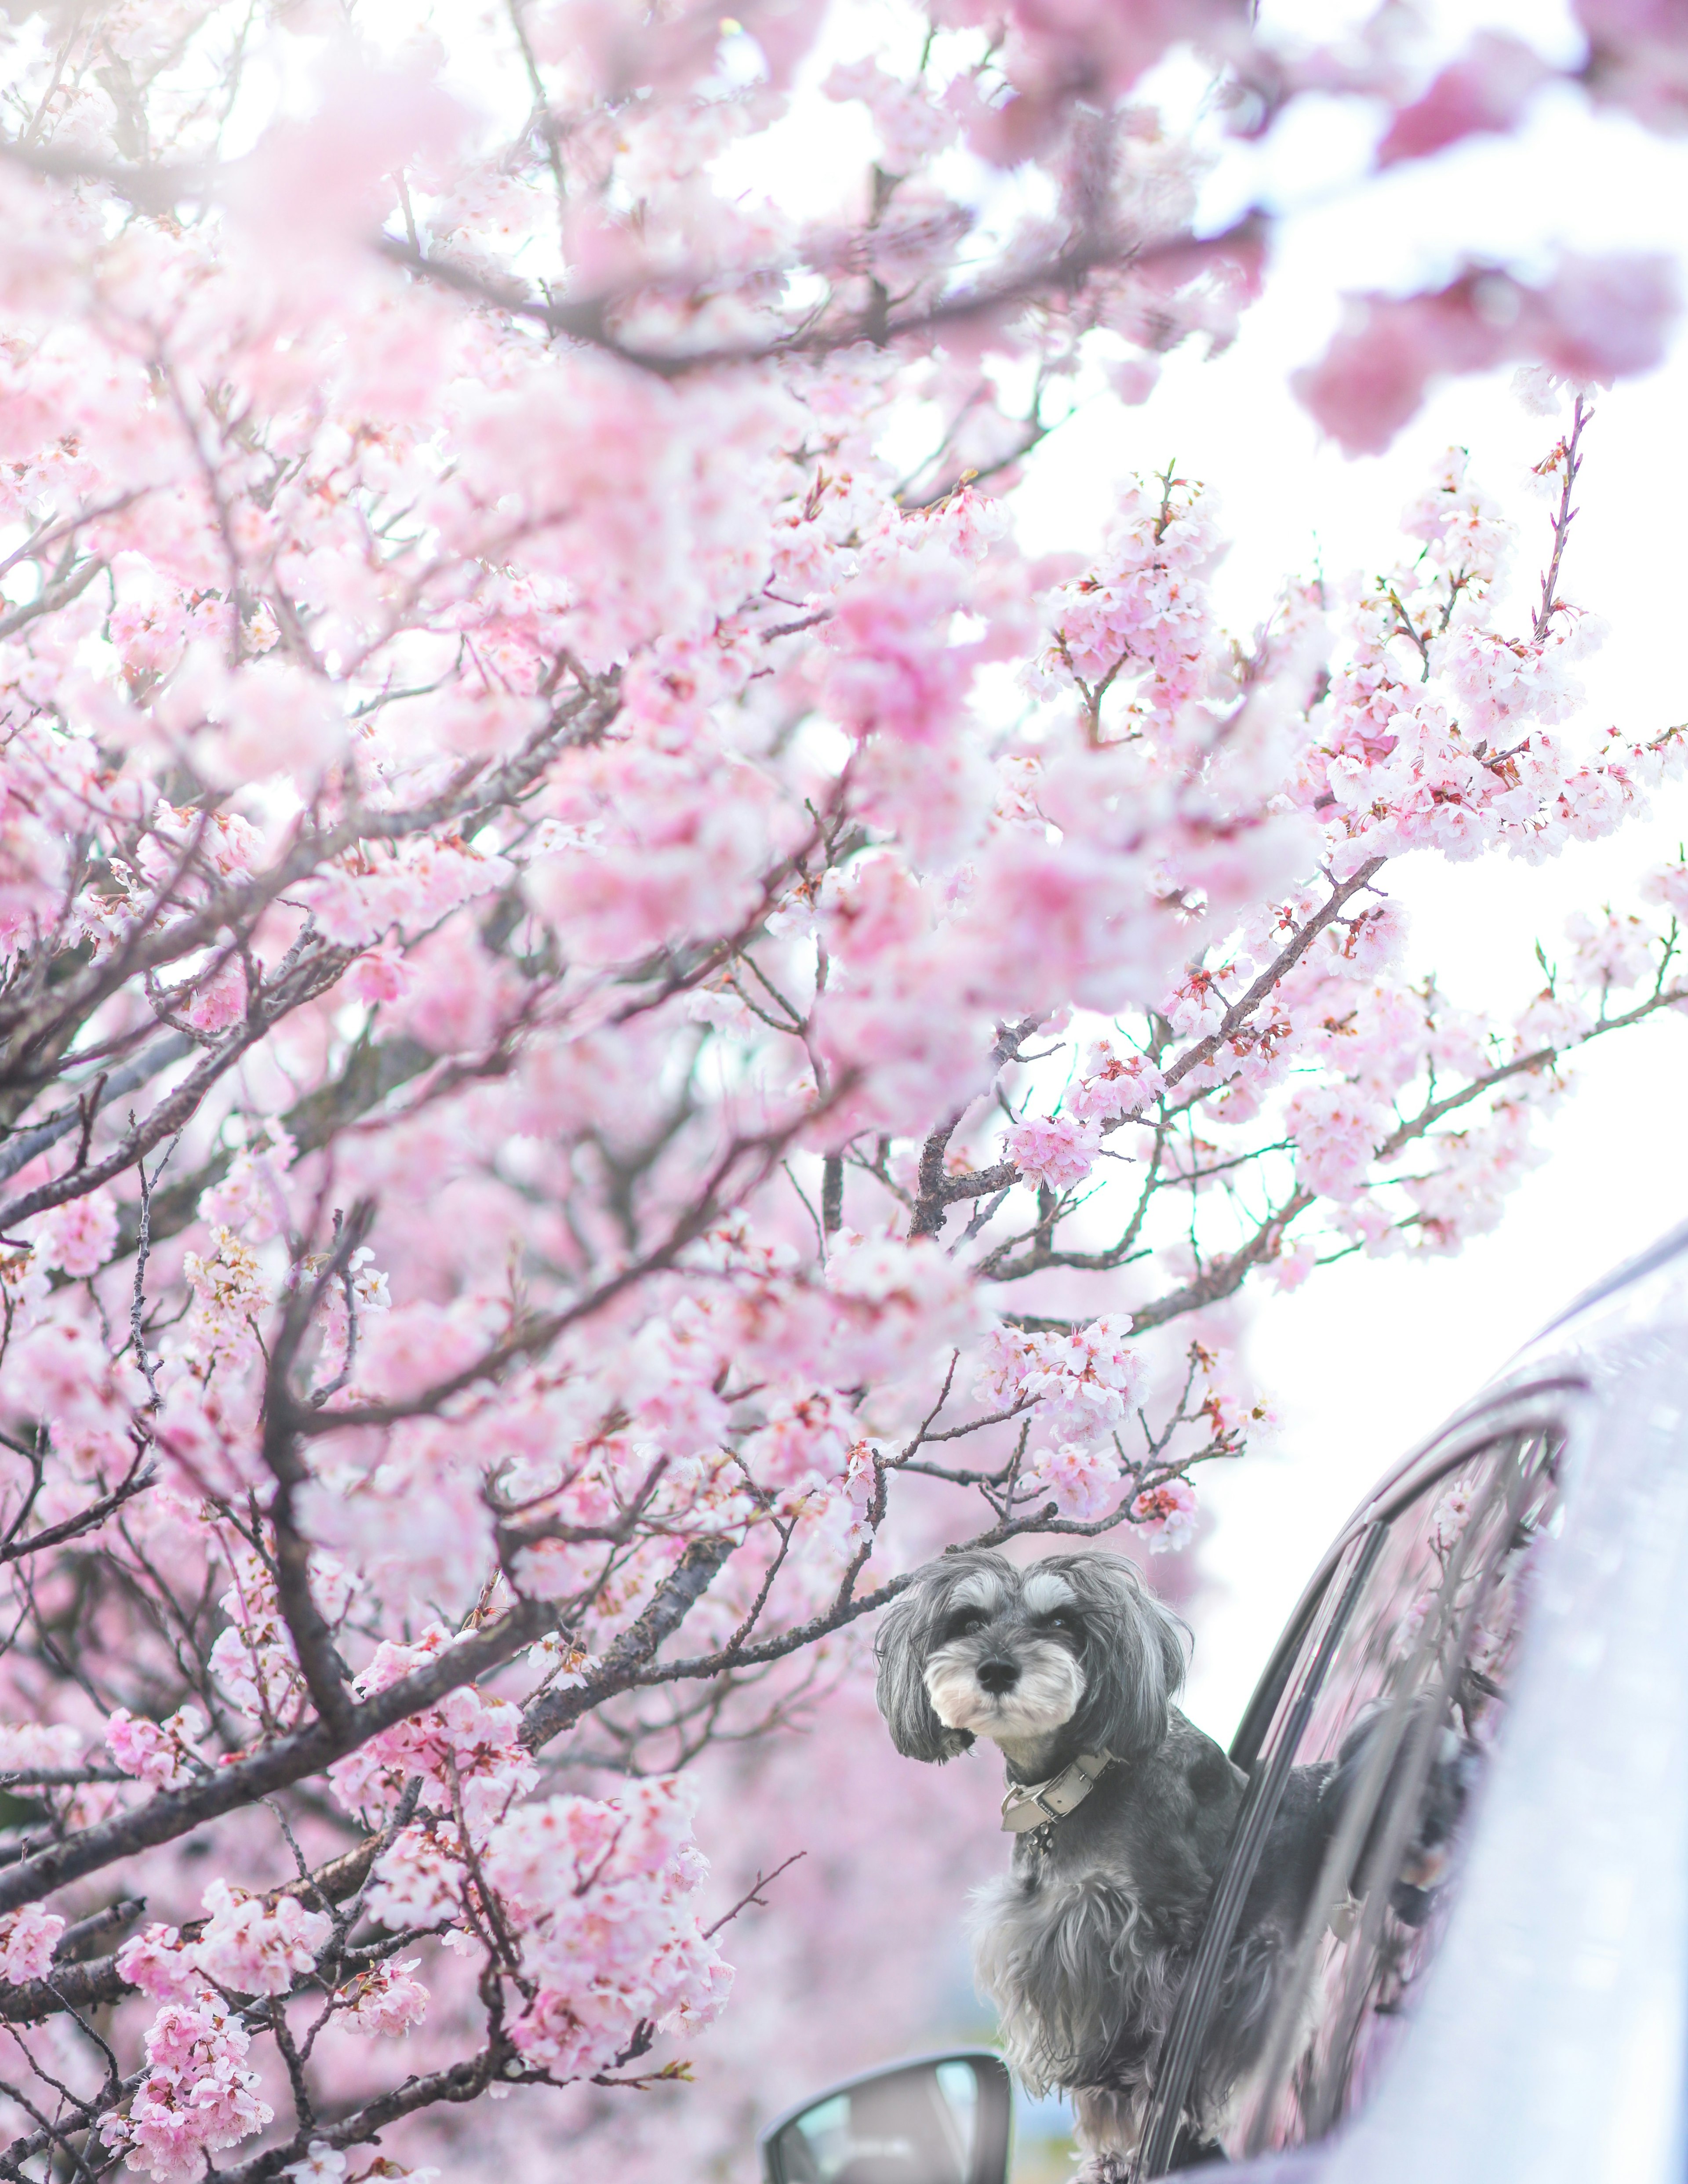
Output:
x=938 y=2120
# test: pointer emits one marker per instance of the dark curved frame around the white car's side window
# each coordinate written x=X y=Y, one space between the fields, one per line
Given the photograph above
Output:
x=1541 y=1408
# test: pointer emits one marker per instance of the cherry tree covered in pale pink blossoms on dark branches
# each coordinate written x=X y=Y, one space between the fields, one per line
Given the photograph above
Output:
x=621 y=1021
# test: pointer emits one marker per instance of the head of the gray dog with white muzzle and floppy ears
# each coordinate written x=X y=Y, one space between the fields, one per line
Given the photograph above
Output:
x=977 y=1648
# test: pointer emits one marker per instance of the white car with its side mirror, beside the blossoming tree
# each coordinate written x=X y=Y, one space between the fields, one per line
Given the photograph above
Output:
x=1493 y=1973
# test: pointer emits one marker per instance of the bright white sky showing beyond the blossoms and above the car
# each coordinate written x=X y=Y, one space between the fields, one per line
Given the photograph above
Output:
x=1370 y=1357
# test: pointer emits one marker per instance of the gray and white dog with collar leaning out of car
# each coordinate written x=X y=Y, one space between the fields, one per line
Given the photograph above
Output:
x=1071 y=1670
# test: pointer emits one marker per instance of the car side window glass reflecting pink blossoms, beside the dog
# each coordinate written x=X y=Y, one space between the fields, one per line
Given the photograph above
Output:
x=1351 y=1840
